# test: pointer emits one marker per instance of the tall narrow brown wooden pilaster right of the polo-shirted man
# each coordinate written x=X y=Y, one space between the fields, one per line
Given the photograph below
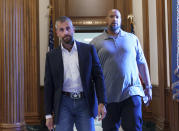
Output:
x=159 y=111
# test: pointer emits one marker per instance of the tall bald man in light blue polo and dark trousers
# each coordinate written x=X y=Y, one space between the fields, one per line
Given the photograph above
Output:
x=122 y=60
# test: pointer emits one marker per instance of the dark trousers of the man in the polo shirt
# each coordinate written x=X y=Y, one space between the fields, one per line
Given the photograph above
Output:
x=127 y=113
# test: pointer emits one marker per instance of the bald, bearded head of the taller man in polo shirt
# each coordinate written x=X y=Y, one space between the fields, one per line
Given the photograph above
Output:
x=113 y=20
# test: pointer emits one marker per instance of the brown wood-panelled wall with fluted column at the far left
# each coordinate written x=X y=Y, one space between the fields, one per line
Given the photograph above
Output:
x=19 y=63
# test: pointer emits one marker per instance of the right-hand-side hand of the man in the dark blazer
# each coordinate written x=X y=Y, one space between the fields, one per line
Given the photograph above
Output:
x=101 y=111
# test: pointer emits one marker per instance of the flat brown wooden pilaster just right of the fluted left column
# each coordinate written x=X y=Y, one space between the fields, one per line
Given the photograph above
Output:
x=31 y=61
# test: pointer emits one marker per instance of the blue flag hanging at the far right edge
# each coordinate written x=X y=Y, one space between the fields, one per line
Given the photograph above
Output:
x=175 y=50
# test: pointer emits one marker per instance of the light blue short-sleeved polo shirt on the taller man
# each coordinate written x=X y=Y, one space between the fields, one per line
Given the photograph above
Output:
x=119 y=57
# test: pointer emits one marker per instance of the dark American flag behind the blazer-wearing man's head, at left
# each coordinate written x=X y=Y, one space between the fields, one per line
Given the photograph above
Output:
x=51 y=38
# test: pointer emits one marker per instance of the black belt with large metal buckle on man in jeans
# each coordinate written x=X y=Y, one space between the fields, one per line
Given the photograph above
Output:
x=74 y=95
